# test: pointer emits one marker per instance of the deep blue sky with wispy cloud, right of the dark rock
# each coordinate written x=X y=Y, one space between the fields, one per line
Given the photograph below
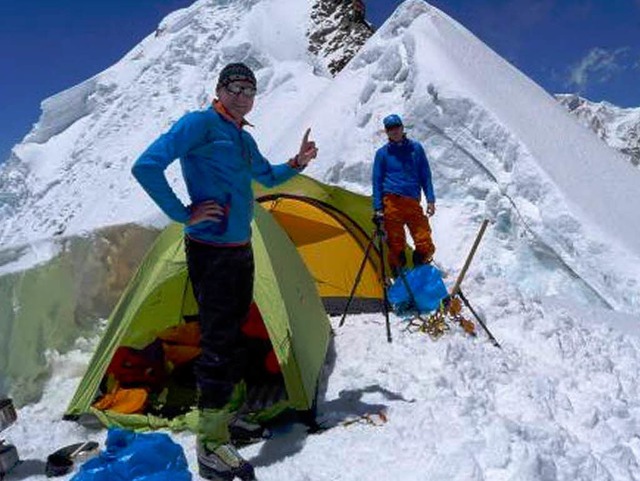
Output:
x=587 y=46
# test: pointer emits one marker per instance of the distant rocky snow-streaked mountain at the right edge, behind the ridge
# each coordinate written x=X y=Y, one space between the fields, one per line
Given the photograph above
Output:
x=618 y=127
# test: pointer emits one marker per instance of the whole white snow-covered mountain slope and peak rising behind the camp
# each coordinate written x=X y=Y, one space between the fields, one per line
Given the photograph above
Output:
x=522 y=162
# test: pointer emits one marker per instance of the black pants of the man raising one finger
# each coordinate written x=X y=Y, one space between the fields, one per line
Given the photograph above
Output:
x=222 y=280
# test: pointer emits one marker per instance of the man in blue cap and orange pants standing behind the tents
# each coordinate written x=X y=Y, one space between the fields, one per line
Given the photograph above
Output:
x=400 y=173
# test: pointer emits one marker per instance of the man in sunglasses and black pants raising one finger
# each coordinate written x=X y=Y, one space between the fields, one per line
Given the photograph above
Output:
x=219 y=159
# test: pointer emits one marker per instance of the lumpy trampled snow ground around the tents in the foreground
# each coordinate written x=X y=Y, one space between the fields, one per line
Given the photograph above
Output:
x=558 y=402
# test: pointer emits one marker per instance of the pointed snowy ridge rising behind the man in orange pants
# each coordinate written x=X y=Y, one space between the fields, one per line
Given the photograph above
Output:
x=500 y=147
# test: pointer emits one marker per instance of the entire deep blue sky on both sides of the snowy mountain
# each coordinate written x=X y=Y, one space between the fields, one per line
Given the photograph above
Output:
x=586 y=46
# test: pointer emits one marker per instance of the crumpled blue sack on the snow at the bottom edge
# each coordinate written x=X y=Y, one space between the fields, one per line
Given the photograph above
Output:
x=131 y=456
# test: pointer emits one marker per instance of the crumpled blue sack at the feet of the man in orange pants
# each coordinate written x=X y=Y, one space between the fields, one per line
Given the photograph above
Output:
x=427 y=287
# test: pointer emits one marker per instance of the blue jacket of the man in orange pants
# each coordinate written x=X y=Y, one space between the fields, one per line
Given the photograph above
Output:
x=401 y=168
